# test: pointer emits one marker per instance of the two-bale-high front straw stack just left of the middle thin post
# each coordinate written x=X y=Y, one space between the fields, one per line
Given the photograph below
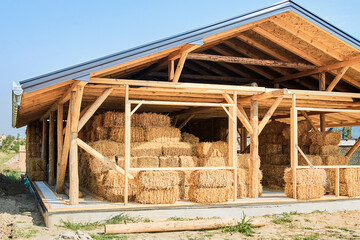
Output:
x=210 y=186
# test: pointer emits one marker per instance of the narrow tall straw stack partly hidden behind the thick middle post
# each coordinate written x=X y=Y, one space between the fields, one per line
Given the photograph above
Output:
x=243 y=176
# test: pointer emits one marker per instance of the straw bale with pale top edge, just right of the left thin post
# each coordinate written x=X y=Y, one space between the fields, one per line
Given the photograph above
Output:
x=145 y=149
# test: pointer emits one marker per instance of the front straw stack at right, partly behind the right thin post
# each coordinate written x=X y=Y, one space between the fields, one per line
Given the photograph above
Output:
x=310 y=183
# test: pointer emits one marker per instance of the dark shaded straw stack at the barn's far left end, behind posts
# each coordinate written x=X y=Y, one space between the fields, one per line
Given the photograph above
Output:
x=35 y=166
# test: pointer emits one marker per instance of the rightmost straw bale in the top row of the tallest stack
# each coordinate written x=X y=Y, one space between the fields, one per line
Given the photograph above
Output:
x=148 y=120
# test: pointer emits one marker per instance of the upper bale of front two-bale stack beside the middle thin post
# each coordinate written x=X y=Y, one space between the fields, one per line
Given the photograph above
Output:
x=211 y=178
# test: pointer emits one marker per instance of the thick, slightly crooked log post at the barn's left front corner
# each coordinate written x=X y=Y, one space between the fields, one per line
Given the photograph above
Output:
x=73 y=159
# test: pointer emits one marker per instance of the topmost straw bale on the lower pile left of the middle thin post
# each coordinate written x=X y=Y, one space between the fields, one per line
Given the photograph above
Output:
x=212 y=149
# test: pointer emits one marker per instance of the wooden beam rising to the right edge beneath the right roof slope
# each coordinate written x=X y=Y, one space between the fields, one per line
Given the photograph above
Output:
x=326 y=68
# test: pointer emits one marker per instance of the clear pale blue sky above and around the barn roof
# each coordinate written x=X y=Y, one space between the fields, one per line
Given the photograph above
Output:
x=42 y=36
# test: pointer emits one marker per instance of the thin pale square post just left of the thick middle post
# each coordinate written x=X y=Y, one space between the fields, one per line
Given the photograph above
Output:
x=232 y=121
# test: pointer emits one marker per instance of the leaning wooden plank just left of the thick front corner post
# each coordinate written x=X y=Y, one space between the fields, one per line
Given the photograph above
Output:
x=62 y=164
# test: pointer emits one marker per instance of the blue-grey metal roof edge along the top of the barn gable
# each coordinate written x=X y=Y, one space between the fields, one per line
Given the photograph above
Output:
x=82 y=71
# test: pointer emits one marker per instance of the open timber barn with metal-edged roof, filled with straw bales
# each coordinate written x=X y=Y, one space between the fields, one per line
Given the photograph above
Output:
x=280 y=75
